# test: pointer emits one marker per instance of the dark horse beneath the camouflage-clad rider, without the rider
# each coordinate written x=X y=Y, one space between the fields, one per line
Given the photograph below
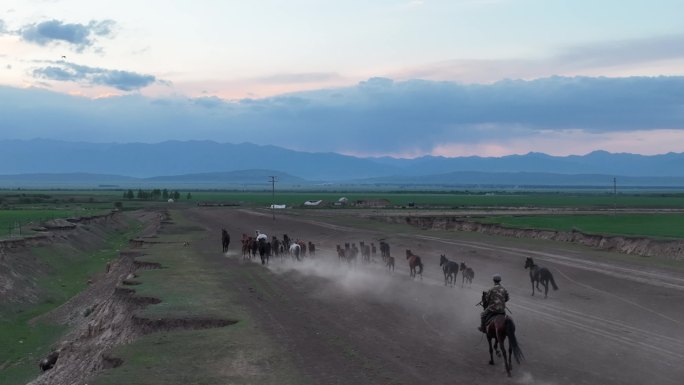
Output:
x=498 y=328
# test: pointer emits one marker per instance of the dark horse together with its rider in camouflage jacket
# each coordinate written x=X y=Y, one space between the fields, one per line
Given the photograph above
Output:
x=499 y=326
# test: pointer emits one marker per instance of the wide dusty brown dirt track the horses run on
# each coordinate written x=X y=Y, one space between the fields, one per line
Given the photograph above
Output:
x=611 y=322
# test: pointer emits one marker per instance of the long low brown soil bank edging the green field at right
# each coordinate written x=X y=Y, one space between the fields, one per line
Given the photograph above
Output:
x=629 y=245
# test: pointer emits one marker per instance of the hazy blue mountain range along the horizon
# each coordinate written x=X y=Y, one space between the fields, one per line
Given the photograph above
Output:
x=208 y=163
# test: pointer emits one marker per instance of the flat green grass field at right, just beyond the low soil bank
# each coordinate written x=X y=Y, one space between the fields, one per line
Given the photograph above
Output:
x=647 y=225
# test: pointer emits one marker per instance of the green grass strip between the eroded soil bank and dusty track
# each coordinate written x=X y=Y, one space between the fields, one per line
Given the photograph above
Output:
x=193 y=284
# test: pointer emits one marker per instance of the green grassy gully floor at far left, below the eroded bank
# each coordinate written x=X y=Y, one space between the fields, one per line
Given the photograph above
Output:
x=24 y=343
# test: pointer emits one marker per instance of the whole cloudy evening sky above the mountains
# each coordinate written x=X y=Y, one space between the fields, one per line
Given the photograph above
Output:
x=403 y=78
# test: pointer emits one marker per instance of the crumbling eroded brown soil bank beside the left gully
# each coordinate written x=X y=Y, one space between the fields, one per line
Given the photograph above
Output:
x=106 y=315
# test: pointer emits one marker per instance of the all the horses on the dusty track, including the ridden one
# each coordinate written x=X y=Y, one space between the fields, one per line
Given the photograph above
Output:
x=498 y=329
